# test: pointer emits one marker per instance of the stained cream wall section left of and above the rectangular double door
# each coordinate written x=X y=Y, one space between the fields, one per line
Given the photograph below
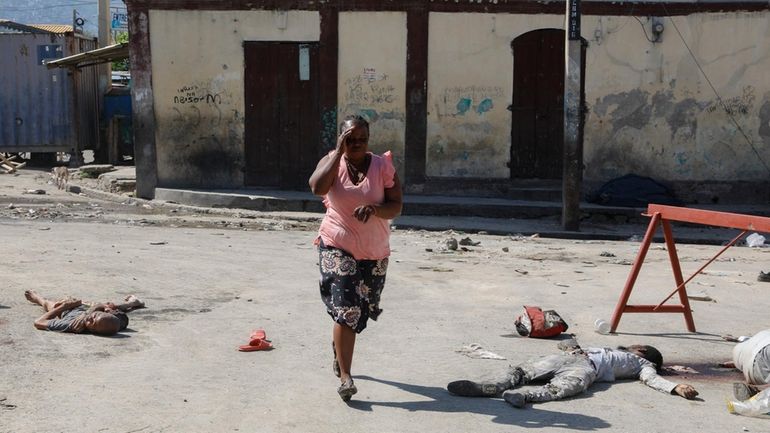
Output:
x=197 y=73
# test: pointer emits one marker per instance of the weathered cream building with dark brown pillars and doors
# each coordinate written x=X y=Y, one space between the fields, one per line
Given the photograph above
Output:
x=469 y=94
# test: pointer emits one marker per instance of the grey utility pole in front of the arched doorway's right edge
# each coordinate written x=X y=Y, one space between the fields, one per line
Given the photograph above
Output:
x=572 y=175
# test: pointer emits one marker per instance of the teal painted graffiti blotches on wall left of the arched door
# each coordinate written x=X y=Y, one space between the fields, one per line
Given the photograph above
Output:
x=461 y=100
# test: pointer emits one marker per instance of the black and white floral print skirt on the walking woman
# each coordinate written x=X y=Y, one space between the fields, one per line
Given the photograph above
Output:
x=351 y=288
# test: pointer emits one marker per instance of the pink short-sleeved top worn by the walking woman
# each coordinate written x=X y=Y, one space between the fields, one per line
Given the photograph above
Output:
x=340 y=229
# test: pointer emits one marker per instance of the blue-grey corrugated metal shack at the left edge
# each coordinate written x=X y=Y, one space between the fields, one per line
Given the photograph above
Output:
x=46 y=110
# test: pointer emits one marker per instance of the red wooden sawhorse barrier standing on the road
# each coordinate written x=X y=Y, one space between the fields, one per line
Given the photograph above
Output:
x=661 y=215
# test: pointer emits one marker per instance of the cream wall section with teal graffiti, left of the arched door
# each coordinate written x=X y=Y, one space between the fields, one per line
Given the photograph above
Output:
x=470 y=79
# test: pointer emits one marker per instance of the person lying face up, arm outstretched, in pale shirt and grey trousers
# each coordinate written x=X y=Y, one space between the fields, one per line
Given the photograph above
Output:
x=572 y=372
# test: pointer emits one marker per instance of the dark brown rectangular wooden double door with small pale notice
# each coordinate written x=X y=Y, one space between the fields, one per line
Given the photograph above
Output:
x=282 y=120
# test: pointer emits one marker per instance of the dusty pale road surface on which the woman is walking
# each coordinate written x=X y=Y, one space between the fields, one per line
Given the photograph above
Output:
x=209 y=279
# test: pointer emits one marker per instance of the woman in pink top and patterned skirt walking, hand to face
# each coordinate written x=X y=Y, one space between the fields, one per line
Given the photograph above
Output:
x=361 y=193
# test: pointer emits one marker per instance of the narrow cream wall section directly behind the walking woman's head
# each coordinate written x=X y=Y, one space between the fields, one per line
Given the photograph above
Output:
x=372 y=76
